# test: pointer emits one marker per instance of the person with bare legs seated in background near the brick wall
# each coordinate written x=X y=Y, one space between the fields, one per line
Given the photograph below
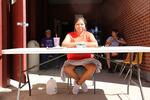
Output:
x=113 y=40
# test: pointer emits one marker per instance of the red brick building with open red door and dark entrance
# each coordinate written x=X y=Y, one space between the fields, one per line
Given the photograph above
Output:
x=131 y=17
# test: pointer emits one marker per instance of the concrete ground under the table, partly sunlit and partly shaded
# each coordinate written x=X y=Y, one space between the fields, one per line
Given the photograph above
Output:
x=109 y=86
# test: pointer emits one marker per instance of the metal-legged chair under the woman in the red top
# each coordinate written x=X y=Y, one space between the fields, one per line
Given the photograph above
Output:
x=80 y=70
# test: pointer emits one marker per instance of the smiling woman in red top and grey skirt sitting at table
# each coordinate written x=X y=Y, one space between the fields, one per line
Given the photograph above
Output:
x=90 y=64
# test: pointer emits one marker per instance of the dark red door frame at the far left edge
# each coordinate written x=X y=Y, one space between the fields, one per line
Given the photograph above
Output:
x=4 y=30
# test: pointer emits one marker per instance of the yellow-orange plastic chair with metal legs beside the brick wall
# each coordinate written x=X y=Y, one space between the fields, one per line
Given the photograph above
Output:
x=135 y=62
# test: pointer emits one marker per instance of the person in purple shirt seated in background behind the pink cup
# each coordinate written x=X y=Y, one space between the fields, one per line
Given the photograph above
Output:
x=47 y=41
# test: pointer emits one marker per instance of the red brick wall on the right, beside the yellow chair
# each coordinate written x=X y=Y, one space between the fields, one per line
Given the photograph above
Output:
x=134 y=21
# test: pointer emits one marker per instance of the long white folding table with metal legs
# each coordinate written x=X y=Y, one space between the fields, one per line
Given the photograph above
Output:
x=61 y=50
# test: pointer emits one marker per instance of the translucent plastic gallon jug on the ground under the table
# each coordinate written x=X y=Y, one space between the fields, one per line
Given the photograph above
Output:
x=51 y=86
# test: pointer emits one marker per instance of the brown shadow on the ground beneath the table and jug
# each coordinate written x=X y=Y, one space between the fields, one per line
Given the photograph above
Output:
x=64 y=93
